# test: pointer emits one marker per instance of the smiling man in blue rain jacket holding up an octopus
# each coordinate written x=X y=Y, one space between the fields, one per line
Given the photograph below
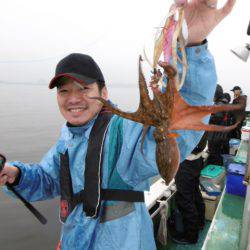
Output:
x=97 y=154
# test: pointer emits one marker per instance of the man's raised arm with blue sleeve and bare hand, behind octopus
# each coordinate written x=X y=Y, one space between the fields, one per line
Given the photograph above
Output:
x=202 y=17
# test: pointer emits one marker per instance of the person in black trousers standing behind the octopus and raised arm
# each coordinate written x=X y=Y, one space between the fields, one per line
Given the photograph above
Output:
x=188 y=197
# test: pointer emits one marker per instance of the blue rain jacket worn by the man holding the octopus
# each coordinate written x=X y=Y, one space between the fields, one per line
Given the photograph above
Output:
x=135 y=230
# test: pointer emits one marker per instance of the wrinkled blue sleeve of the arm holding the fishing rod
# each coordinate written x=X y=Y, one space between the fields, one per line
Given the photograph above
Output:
x=39 y=181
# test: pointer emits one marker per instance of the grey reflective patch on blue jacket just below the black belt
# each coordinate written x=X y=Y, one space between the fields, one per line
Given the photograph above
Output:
x=112 y=212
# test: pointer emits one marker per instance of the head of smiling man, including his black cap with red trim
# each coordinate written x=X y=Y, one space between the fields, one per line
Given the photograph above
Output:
x=78 y=78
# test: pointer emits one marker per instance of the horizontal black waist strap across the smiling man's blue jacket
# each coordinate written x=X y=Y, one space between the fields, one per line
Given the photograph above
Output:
x=112 y=195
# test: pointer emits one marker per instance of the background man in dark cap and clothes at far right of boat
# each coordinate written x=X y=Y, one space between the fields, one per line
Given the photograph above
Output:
x=240 y=99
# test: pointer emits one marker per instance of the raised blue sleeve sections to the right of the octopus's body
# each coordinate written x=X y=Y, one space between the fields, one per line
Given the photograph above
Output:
x=199 y=89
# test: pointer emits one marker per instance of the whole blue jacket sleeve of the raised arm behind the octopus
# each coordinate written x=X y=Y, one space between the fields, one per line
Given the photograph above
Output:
x=199 y=88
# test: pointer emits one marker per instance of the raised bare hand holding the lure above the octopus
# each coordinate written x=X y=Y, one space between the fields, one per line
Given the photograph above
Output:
x=202 y=17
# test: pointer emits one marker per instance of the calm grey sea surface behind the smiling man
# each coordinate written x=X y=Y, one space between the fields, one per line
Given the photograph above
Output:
x=30 y=124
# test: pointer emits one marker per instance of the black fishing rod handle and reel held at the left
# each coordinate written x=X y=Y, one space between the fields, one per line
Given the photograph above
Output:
x=31 y=208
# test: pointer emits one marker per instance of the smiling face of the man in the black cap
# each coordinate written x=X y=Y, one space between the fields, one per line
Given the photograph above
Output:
x=74 y=104
